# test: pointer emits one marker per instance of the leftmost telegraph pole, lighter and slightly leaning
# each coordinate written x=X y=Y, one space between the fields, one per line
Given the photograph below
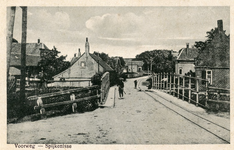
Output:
x=10 y=26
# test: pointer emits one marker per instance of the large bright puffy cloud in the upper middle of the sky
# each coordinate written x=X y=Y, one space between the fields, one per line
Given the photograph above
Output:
x=114 y=25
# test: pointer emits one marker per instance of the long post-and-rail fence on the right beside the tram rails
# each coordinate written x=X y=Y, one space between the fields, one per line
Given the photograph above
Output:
x=192 y=89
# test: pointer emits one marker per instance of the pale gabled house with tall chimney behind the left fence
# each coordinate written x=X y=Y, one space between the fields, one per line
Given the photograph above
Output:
x=83 y=67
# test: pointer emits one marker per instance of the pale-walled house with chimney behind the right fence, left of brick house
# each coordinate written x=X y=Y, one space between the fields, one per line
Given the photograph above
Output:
x=185 y=60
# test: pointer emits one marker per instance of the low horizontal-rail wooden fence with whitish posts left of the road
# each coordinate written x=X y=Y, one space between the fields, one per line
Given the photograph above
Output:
x=81 y=98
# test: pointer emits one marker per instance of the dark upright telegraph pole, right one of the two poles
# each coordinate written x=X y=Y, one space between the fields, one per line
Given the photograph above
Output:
x=23 y=54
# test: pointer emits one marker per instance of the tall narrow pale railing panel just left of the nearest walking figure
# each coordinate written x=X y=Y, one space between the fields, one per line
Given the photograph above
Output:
x=105 y=86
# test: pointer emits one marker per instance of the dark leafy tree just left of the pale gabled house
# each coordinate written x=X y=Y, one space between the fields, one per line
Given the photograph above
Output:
x=53 y=64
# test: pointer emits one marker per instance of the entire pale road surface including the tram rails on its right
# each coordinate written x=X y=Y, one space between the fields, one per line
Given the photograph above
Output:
x=141 y=117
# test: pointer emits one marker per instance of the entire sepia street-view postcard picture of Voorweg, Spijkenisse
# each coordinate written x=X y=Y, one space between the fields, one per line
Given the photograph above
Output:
x=117 y=75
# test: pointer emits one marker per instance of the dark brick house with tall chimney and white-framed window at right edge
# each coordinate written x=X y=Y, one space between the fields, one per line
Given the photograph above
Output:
x=213 y=63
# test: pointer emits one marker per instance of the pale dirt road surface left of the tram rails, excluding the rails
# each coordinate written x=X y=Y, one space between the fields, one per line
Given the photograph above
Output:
x=136 y=119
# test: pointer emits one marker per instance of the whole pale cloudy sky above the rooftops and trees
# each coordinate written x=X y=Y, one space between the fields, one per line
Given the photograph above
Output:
x=119 y=31
